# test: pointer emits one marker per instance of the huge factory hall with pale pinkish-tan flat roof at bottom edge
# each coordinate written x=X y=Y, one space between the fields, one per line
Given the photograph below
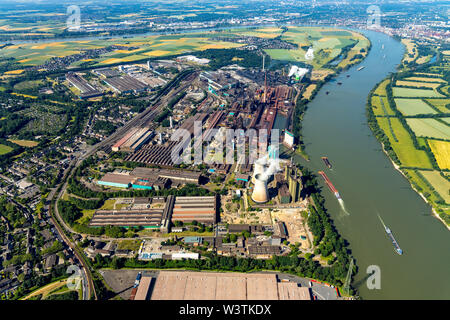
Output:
x=175 y=285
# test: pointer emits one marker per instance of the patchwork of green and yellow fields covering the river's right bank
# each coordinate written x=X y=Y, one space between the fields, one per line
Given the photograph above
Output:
x=407 y=125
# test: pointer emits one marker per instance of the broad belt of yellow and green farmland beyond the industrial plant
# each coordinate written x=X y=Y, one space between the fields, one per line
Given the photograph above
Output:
x=327 y=45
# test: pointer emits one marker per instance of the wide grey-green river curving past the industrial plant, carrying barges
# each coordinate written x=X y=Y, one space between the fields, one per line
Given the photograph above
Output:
x=335 y=126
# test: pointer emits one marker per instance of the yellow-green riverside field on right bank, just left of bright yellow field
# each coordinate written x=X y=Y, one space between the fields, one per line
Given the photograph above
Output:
x=408 y=155
